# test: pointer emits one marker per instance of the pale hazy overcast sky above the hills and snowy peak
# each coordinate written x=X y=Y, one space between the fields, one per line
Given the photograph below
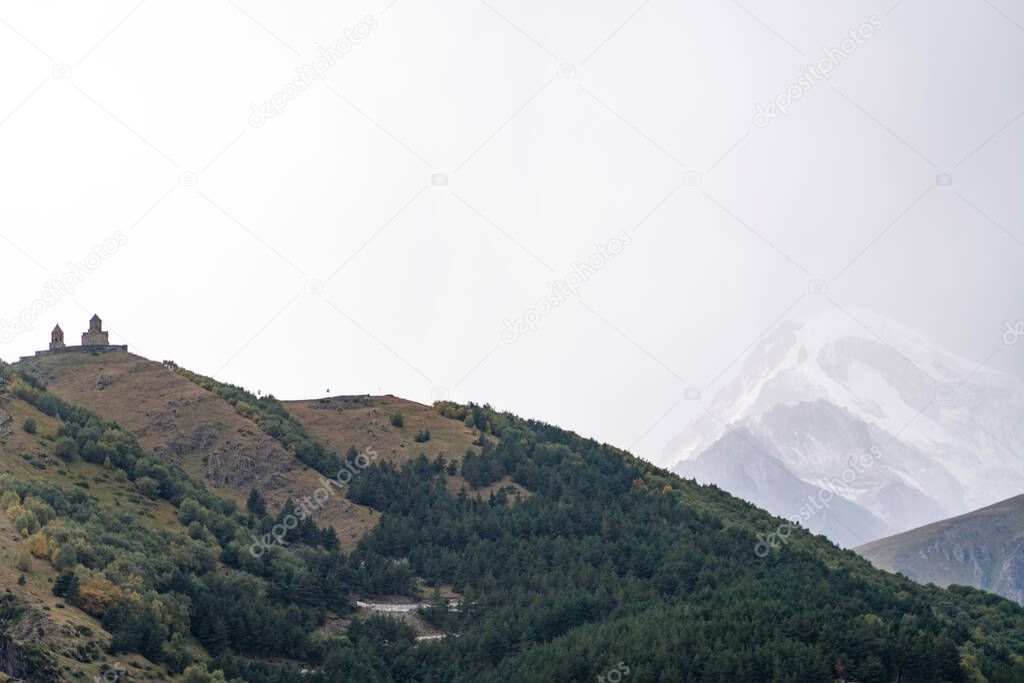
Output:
x=445 y=162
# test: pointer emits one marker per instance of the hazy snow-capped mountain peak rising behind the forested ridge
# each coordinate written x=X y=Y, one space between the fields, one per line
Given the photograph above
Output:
x=865 y=408
